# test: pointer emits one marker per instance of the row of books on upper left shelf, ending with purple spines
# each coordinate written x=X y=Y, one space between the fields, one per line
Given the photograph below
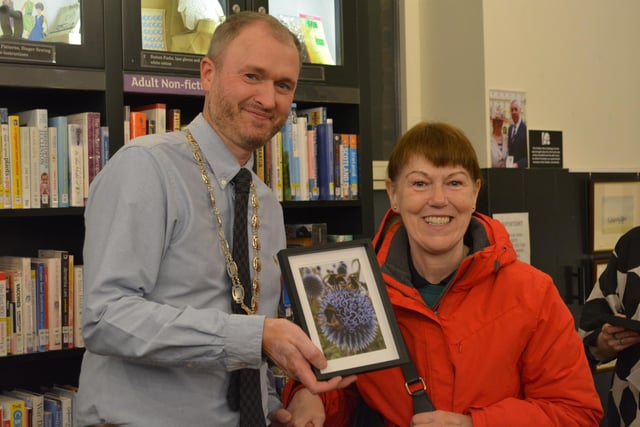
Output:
x=49 y=161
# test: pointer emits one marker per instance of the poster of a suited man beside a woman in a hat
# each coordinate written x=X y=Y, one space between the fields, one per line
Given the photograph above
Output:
x=508 y=139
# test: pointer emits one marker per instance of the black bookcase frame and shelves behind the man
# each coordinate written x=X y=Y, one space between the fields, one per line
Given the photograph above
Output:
x=99 y=85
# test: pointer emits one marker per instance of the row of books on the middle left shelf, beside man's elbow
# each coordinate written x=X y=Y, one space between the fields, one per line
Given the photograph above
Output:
x=42 y=299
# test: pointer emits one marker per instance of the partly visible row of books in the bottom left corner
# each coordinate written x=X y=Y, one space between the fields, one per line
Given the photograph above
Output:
x=49 y=407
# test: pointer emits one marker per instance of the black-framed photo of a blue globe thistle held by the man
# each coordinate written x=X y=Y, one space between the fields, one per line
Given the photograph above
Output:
x=339 y=299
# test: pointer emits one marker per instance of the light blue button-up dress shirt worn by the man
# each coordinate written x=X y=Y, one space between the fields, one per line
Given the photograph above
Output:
x=160 y=339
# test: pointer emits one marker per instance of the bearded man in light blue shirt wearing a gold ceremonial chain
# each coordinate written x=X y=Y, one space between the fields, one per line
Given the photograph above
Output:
x=158 y=326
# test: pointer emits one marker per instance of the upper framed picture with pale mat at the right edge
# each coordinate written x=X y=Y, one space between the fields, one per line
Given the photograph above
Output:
x=615 y=209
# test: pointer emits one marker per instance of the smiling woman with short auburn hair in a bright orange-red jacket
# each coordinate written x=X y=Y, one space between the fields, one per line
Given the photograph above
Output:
x=489 y=335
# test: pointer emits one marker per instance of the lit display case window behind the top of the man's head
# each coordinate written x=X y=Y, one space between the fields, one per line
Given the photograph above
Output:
x=186 y=26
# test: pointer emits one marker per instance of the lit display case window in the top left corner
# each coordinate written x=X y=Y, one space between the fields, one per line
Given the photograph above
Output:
x=53 y=21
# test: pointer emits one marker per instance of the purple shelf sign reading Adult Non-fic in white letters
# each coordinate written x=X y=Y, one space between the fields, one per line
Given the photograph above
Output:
x=145 y=83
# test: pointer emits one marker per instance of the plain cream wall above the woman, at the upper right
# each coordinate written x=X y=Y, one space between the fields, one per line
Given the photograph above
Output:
x=577 y=60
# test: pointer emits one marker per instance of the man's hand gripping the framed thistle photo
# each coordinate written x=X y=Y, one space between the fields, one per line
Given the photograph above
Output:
x=291 y=349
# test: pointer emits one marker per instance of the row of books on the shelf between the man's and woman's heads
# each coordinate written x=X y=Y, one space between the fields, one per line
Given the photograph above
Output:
x=307 y=160
